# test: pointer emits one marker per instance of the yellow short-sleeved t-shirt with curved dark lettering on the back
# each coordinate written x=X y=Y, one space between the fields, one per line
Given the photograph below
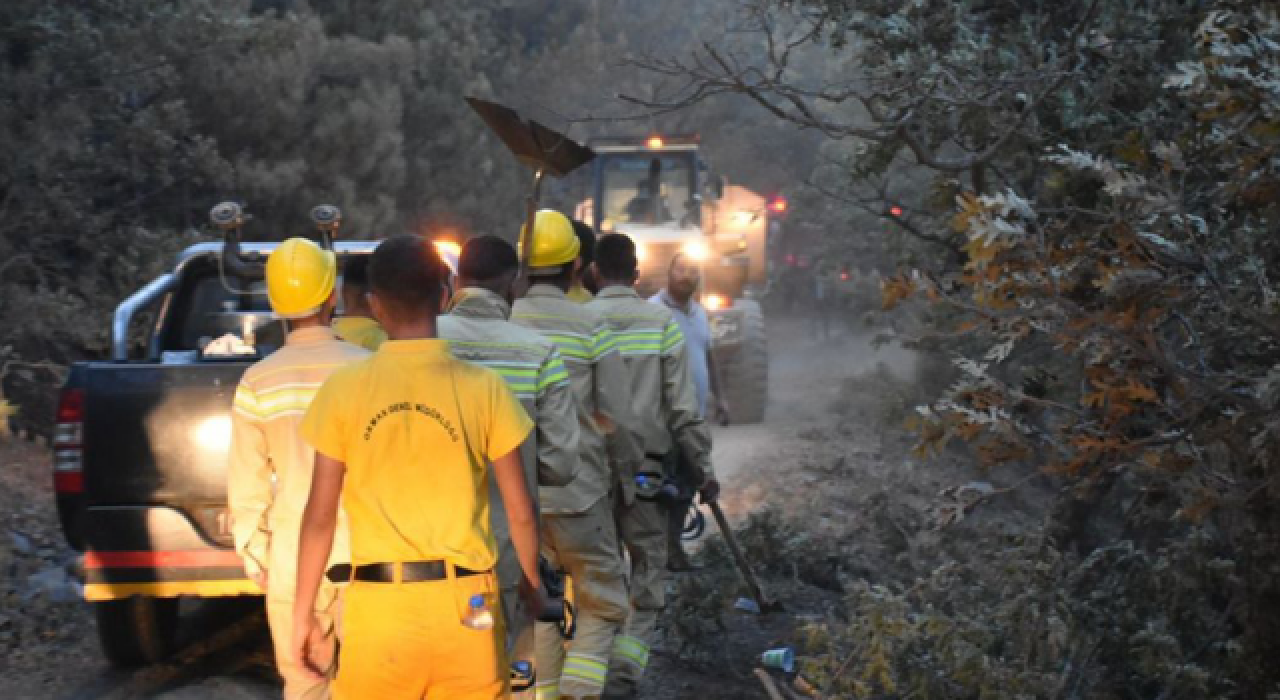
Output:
x=418 y=472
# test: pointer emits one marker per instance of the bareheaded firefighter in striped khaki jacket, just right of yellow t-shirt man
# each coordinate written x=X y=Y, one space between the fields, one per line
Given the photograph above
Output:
x=479 y=331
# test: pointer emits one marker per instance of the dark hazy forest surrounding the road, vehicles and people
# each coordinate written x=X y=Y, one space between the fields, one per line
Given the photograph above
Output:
x=1072 y=208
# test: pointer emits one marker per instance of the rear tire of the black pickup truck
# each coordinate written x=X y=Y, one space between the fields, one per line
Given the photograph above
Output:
x=139 y=630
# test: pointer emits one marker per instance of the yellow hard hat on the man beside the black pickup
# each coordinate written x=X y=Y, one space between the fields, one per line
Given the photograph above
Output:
x=300 y=278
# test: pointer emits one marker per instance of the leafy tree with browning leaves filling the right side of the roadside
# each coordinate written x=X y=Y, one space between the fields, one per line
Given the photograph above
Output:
x=1104 y=175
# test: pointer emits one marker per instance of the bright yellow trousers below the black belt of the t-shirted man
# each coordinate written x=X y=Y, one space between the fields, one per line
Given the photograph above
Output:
x=406 y=642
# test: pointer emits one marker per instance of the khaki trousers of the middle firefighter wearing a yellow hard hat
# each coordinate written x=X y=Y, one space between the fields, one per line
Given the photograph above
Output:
x=587 y=548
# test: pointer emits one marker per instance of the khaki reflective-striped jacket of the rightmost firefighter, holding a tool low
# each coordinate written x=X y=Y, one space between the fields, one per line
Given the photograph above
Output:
x=664 y=400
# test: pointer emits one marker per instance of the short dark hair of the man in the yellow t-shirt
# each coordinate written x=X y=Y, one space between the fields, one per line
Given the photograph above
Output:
x=409 y=276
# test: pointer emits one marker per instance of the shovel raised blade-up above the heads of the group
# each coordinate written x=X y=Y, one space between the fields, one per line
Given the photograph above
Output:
x=543 y=150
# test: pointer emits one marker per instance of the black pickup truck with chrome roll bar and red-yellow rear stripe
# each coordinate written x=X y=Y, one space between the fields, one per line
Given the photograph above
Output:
x=141 y=445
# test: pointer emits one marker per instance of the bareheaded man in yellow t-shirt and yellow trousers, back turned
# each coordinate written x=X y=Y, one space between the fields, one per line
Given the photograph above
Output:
x=406 y=438
